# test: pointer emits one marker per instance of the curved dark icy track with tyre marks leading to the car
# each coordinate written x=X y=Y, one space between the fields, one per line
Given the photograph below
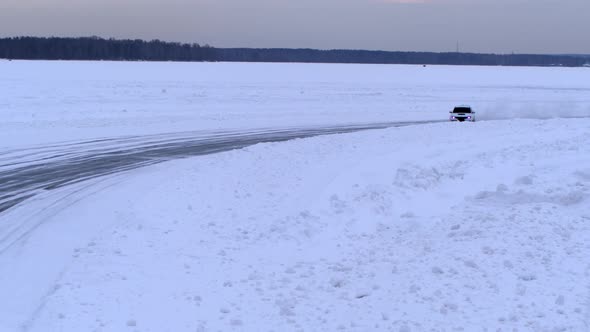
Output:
x=24 y=173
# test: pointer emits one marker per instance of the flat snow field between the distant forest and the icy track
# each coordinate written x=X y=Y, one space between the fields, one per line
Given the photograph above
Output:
x=44 y=102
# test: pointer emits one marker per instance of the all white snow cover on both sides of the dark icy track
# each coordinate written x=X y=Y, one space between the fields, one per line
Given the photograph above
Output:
x=479 y=226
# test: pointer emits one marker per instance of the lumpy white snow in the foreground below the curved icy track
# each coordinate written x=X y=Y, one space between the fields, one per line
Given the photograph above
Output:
x=450 y=226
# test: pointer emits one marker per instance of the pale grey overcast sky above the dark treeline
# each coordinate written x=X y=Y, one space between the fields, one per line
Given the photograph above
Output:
x=501 y=26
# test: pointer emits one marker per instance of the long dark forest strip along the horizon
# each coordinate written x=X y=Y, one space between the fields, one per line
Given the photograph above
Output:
x=94 y=48
